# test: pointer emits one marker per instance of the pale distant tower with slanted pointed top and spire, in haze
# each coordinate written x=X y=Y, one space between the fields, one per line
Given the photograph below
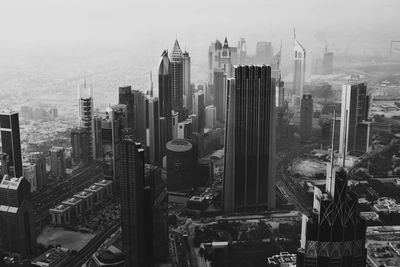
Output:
x=299 y=71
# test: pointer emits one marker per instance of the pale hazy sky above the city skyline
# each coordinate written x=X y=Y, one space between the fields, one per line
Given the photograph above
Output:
x=117 y=21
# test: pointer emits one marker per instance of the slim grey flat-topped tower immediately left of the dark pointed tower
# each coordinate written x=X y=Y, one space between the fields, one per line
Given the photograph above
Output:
x=153 y=130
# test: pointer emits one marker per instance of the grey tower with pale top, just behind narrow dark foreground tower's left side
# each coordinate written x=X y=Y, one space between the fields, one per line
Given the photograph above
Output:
x=114 y=122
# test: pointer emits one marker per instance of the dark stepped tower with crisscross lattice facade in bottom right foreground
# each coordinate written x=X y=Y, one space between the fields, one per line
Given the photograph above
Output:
x=334 y=234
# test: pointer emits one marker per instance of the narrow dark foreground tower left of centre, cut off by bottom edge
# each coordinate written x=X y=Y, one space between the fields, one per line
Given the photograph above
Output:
x=132 y=202
